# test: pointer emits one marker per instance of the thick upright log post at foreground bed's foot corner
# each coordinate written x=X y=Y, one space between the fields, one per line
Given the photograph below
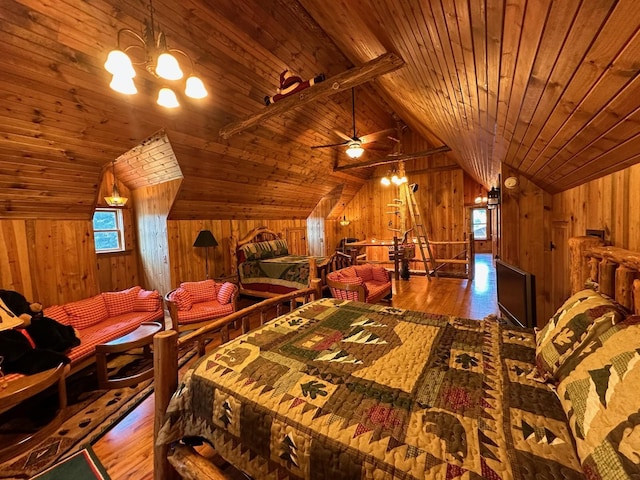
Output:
x=165 y=364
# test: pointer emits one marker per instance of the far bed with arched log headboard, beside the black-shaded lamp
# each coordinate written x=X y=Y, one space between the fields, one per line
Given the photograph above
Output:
x=266 y=268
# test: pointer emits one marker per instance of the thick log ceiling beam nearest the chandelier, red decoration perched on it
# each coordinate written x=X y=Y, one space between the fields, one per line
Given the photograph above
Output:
x=350 y=78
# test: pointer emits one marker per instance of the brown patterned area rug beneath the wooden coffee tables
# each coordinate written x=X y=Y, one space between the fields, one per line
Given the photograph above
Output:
x=90 y=413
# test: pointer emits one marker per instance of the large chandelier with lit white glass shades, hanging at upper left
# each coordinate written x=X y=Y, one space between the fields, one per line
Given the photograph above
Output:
x=157 y=59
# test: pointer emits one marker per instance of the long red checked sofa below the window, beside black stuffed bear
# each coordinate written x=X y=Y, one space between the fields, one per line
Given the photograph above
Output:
x=105 y=317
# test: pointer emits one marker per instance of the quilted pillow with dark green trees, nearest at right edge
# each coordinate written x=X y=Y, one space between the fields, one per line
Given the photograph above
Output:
x=600 y=398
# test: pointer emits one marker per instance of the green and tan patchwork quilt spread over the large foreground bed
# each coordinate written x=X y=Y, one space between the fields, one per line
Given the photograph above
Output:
x=345 y=390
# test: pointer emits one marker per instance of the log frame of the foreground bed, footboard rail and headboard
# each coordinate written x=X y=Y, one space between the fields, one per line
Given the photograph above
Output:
x=616 y=271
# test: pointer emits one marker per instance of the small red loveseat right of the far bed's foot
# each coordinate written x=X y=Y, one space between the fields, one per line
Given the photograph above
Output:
x=364 y=283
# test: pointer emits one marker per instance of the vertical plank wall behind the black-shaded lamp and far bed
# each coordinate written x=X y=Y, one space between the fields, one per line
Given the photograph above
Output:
x=187 y=263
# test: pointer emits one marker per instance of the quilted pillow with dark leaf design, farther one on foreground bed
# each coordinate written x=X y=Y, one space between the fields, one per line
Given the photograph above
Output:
x=584 y=316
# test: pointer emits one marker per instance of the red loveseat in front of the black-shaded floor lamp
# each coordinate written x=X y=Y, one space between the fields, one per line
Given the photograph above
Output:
x=194 y=304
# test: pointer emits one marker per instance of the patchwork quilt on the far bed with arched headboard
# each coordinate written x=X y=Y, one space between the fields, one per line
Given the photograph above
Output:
x=291 y=271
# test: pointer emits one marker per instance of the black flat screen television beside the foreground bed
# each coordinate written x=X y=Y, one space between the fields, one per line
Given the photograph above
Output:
x=516 y=294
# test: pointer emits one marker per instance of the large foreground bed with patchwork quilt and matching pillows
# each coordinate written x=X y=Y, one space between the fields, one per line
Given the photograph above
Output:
x=340 y=389
